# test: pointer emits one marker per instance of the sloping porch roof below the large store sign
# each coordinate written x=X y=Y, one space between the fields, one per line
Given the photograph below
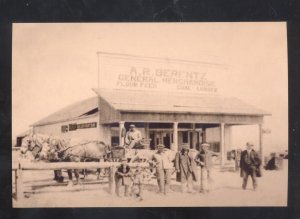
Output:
x=163 y=102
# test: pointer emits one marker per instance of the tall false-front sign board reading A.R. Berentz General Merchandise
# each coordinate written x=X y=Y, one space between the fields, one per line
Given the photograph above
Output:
x=140 y=73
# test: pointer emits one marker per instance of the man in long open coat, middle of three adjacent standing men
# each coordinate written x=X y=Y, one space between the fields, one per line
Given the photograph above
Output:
x=185 y=167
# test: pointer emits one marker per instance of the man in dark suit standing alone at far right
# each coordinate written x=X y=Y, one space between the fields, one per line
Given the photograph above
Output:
x=250 y=165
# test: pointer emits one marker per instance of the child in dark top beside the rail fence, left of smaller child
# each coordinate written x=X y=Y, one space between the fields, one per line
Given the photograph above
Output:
x=123 y=177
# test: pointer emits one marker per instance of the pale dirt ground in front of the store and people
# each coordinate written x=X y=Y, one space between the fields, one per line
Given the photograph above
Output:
x=226 y=191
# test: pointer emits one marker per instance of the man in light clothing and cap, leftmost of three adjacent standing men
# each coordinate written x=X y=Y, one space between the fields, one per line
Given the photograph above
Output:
x=163 y=163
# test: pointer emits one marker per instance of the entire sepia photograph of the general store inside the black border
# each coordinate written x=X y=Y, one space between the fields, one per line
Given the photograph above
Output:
x=149 y=114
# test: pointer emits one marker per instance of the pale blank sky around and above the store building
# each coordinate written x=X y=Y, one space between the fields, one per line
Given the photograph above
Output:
x=54 y=65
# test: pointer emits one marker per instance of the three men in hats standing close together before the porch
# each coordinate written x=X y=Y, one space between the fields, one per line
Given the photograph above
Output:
x=185 y=167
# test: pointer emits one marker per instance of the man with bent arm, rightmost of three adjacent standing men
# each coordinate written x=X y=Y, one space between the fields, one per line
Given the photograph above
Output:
x=204 y=160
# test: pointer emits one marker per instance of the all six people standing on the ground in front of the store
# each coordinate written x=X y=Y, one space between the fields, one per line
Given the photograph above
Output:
x=186 y=170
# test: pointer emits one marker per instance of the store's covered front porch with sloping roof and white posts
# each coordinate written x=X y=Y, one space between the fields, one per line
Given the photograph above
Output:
x=174 y=119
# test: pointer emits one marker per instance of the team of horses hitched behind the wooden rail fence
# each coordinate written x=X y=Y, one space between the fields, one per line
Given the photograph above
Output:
x=55 y=149
